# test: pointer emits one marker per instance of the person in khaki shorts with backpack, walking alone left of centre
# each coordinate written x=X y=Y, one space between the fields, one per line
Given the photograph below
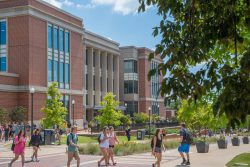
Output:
x=73 y=148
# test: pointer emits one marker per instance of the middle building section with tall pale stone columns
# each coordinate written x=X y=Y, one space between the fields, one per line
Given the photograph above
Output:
x=101 y=69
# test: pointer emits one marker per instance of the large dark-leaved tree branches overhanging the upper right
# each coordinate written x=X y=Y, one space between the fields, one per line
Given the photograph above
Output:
x=213 y=37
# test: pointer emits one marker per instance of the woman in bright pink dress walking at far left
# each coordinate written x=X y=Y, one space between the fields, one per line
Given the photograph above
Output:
x=19 y=148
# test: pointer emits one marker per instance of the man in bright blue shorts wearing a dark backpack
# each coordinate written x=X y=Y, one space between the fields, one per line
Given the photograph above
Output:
x=184 y=147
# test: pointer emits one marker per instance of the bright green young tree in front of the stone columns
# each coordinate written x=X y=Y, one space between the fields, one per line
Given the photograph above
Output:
x=109 y=115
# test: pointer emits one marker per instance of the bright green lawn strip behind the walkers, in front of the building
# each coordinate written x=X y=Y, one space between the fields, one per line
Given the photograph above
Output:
x=85 y=139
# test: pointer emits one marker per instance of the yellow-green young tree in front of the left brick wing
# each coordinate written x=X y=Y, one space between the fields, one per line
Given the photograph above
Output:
x=54 y=111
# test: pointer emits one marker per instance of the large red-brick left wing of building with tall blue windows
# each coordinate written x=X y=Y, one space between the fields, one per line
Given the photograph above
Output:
x=40 y=44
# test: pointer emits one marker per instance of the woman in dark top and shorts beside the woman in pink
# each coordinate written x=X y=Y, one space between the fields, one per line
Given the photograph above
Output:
x=36 y=138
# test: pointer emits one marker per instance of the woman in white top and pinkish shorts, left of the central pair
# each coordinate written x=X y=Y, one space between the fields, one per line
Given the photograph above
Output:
x=104 y=146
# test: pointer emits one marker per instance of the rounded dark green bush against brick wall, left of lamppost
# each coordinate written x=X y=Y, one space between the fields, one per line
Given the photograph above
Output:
x=18 y=114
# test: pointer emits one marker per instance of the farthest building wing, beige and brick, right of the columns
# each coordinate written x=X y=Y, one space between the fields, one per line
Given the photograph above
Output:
x=137 y=93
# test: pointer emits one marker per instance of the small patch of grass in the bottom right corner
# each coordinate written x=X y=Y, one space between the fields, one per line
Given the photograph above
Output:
x=242 y=158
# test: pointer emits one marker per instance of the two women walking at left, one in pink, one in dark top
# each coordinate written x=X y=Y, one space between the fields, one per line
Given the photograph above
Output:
x=19 y=143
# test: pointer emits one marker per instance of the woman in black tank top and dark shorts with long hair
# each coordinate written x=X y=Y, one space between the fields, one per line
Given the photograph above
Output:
x=157 y=147
